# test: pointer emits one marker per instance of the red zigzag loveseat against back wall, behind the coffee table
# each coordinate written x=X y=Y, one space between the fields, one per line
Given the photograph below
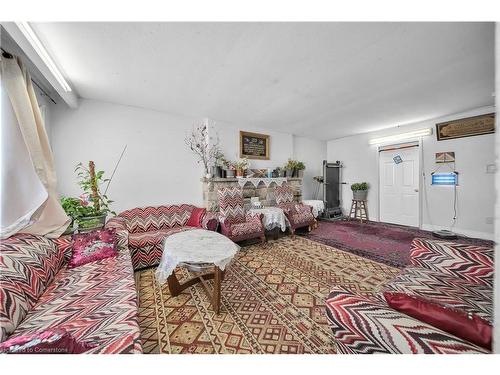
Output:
x=146 y=228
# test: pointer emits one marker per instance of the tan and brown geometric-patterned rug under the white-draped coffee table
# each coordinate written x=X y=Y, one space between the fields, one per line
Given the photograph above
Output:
x=272 y=301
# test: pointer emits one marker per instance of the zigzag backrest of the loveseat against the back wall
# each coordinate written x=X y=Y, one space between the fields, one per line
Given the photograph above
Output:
x=148 y=219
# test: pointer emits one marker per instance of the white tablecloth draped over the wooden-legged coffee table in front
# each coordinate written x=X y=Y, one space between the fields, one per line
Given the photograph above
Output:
x=196 y=246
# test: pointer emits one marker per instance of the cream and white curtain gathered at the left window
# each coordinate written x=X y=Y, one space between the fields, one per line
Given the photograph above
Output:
x=30 y=201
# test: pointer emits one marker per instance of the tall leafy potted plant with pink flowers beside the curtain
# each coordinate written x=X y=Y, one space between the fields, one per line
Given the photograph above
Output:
x=94 y=204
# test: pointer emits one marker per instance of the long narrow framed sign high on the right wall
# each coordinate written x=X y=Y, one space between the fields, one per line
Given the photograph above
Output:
x=466 y=127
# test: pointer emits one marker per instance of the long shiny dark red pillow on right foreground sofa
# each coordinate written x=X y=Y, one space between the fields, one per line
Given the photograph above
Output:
x=471 y=328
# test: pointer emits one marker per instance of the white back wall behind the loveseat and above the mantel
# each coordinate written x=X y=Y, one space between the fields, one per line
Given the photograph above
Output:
x=157 y=167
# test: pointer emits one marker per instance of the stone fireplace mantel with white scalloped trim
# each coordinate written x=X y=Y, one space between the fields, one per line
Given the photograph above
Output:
x=252 y=187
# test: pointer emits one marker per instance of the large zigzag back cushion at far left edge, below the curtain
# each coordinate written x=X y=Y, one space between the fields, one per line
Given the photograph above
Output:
x=28 y=264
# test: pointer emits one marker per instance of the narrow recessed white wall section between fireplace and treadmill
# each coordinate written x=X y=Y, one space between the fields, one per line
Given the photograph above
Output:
x=312 y=152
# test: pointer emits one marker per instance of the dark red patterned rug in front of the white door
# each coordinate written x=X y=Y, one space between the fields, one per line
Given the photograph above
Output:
x=382 y=242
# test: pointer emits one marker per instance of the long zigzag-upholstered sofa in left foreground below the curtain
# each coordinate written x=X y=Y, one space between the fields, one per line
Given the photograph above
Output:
x=96 y=302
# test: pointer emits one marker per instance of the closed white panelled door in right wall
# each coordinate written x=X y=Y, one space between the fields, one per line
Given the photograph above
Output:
x=399 y=186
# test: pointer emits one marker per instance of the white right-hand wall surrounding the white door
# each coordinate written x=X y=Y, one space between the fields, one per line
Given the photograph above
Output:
x=476 y=190
